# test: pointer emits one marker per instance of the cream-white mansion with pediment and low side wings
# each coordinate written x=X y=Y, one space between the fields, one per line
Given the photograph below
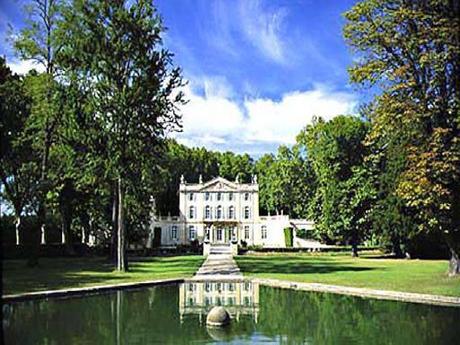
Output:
x=219 y=212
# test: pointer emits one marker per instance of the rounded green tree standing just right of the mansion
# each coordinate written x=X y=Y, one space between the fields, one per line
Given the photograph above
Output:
x=342 y=197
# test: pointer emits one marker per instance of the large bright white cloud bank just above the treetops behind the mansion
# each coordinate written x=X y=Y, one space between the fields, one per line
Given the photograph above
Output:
x=216 y=121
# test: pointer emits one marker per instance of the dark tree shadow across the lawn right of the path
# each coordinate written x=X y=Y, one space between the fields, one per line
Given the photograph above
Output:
x=297 y=266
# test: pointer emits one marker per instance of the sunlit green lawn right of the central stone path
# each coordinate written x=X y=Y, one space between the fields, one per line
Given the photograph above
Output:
x=368 y=271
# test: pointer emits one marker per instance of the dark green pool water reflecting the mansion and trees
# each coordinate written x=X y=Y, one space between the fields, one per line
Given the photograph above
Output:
x=177 y=315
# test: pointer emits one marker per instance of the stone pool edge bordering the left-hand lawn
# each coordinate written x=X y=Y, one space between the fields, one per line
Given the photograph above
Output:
x=86 y=290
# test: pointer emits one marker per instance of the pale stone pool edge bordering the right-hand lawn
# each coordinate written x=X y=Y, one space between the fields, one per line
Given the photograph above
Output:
x=412 y=297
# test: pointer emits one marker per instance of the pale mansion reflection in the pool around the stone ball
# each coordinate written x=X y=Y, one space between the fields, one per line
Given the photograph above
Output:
x=238 y=298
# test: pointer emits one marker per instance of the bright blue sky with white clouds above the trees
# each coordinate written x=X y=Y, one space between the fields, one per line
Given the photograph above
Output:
x=258 y=71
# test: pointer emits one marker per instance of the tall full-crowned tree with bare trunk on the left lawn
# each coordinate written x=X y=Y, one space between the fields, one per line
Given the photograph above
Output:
x=114 y=50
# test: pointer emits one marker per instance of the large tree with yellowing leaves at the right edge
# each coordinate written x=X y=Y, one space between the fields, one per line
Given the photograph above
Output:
x=412 y=50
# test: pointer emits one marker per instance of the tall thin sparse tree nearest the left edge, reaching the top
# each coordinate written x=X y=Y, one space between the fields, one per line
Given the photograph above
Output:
x=37 y=41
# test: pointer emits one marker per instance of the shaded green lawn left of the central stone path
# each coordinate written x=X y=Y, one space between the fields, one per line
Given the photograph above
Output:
x=60 y=273
